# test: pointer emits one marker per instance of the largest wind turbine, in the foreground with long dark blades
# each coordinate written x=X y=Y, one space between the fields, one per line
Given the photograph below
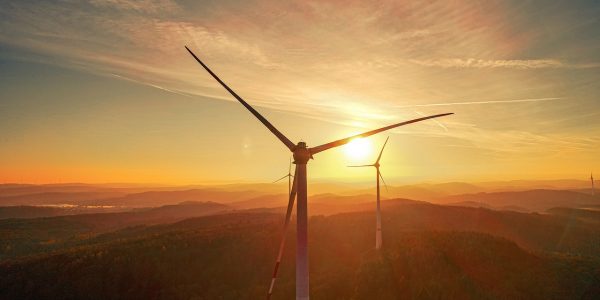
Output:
x=302 y=154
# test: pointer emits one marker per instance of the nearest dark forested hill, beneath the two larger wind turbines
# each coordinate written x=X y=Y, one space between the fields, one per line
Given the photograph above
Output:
x=231 y=256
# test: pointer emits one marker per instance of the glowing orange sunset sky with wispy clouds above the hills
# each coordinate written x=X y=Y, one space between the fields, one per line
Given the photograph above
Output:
x=104 y=90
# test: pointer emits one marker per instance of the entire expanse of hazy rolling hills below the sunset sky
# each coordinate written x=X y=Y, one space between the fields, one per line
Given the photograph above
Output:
x=176 y=243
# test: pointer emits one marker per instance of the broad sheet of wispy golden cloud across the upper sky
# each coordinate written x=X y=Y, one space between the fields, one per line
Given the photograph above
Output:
x=320 y=59
